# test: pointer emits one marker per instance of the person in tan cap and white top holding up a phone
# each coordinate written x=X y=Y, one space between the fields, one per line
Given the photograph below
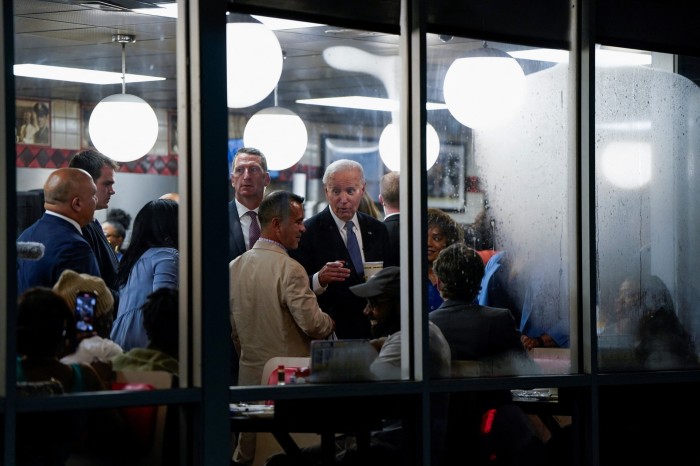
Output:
x=96 y=344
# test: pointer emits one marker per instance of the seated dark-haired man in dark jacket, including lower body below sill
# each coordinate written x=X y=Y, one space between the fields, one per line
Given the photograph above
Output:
x=487 y=335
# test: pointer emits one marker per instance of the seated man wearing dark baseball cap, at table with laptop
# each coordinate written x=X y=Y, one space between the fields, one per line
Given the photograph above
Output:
x=384 y=311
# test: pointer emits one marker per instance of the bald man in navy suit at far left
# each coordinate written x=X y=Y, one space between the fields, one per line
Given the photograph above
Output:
x=70 y=199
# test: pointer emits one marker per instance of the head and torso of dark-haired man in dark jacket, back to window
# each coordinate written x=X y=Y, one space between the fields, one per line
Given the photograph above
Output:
x=473 y=331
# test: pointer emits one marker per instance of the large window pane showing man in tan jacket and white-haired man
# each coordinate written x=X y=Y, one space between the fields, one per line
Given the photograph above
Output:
x=339 y=87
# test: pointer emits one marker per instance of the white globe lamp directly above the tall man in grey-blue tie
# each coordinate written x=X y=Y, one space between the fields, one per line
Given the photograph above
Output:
x=279 y=134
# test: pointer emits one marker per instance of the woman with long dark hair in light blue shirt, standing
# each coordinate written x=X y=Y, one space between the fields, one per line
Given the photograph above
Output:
x=150 y=262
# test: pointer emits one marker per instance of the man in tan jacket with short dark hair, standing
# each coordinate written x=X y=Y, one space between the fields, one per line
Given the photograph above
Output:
x=273 y=310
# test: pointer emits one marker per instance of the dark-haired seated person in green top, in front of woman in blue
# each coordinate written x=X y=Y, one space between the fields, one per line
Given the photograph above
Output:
x=160 y=319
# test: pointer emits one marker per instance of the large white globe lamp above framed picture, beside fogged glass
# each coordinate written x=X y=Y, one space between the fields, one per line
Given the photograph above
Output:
x=485 y=88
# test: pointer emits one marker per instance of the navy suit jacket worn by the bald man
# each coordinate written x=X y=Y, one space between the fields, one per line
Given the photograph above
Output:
x=65 y=248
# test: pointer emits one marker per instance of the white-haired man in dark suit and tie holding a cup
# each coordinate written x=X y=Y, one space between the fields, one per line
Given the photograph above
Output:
x=336 y=243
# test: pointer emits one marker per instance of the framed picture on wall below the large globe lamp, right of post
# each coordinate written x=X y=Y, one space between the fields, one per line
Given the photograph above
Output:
x=446 y=179
